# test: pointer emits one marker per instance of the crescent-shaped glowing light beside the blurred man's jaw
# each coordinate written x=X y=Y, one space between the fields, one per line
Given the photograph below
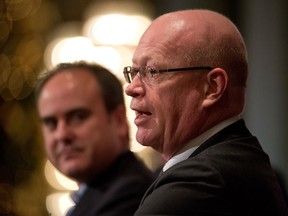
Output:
x=57 y=179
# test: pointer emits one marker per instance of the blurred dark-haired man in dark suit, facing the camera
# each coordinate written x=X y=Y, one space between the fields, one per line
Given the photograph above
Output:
x=86 y=137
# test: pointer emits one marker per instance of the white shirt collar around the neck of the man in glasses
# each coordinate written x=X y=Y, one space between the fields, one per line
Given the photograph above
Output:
x=191 y=146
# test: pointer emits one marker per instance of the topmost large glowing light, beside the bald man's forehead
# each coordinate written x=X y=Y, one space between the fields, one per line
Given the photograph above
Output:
x=116 y=29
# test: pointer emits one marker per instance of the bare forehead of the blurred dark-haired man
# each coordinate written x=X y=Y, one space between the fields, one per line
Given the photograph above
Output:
x=69 y=88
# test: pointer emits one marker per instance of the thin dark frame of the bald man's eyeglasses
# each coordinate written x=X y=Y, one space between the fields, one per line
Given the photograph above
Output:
x=129 y=78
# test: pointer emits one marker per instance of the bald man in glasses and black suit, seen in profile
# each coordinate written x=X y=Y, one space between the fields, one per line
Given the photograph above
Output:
x=188 y=84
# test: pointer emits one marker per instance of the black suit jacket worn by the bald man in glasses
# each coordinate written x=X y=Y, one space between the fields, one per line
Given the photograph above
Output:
x=229 y=174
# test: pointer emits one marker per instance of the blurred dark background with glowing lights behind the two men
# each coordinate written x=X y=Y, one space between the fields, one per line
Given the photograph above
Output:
x=37 y=34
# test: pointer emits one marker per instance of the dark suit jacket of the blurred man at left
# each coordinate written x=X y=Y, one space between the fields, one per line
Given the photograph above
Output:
x=118 y=190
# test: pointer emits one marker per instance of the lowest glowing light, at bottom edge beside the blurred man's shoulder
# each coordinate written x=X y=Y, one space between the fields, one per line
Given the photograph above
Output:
x=58 y=203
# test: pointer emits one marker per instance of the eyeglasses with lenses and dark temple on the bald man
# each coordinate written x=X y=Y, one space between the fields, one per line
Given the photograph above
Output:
x=147 y=73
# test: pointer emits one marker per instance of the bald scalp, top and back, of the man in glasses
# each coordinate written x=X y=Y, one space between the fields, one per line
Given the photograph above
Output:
x=201 y=37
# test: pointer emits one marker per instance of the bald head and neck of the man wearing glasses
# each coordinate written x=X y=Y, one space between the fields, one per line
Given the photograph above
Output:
x=173 y=108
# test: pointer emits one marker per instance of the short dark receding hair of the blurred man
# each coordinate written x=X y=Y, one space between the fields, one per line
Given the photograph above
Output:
x=111 y=88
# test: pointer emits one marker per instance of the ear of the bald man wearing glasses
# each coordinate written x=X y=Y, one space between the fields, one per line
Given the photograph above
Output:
x=215 y=86
